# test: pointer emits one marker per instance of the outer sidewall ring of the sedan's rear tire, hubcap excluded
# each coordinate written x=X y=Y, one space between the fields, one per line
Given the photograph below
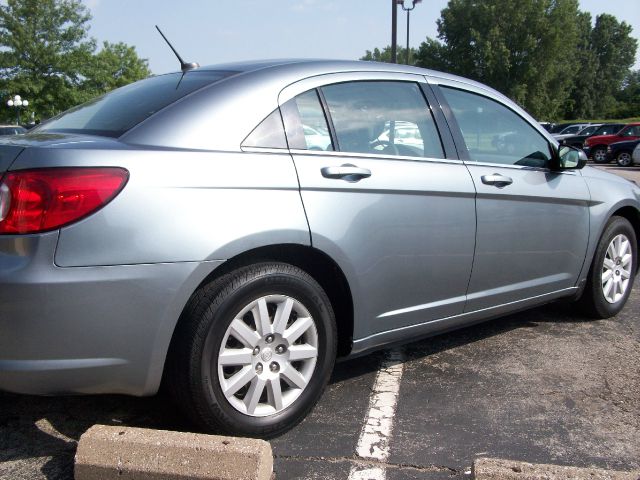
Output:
x=270 y=283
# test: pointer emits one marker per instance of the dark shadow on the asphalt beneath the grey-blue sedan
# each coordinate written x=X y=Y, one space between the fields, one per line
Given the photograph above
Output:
x=44 y=431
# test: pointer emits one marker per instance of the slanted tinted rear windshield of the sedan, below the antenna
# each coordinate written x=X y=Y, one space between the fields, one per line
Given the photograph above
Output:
x=114 y=113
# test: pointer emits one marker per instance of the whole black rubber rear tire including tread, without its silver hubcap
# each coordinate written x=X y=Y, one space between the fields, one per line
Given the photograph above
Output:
x=193 y=364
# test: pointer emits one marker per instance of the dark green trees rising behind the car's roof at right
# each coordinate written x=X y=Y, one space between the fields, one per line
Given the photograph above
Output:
x=544 y=54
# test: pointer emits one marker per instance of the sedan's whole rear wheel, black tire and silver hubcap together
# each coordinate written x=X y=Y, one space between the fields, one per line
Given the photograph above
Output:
x=255 y=351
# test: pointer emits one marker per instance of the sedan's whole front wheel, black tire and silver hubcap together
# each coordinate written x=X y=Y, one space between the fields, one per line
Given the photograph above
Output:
x=612 y=271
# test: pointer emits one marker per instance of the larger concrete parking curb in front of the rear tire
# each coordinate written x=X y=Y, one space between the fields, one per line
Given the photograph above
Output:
x=107 y=452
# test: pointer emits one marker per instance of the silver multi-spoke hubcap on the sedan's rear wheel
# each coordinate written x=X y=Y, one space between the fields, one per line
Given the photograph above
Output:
x=268 y=355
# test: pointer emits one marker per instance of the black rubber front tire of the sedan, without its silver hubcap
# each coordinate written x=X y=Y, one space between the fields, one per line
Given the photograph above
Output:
x=593 y=301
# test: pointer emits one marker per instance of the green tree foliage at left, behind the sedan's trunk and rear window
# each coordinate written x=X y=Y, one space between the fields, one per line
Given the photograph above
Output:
x=47 y=56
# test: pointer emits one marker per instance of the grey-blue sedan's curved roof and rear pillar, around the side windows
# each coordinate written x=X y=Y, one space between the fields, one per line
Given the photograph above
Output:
x=250 y=93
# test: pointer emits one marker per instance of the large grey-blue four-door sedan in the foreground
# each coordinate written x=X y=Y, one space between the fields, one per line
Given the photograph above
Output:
x=183 y=228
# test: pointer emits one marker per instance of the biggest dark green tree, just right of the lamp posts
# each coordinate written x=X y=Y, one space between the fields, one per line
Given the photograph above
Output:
x=524 y=49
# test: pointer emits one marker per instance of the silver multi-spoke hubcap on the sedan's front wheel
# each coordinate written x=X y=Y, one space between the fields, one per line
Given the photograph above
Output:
x=616 y=270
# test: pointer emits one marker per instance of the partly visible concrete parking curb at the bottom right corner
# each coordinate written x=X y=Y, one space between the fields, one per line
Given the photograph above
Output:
x=498 y=469
